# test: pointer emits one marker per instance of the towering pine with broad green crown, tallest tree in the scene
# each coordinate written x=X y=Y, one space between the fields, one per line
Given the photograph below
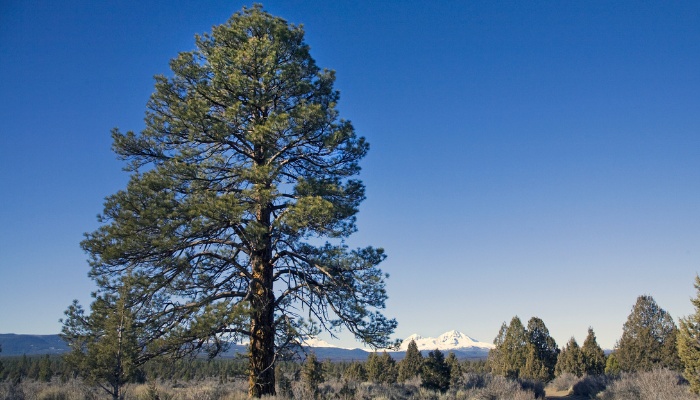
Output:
x=244 y=167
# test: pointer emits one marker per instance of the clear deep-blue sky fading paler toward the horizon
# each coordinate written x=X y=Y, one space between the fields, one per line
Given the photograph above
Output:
x=527 y=158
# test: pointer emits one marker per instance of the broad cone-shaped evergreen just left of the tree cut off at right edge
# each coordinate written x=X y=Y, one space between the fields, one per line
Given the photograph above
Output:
x=648 y=338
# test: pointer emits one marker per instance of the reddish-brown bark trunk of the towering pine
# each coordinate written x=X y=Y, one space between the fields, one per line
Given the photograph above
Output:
x=262 y=339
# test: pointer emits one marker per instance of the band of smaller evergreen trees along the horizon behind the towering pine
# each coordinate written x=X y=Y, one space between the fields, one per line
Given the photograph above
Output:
x=650 y=341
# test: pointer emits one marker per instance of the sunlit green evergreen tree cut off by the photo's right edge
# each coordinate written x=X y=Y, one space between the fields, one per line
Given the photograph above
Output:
x=689 y=342
